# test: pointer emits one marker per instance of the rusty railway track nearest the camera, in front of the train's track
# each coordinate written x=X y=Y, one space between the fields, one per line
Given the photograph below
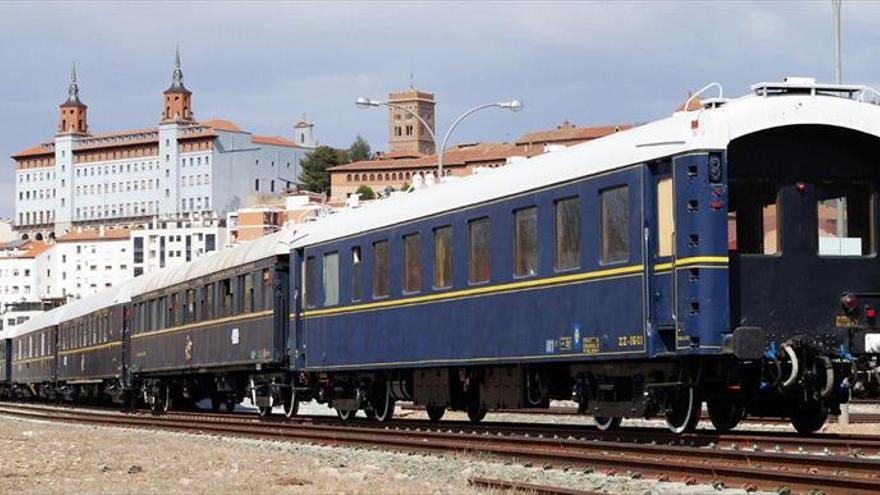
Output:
x=831 y=474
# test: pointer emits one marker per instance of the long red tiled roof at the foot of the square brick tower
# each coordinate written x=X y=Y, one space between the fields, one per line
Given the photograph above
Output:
x=457 y=156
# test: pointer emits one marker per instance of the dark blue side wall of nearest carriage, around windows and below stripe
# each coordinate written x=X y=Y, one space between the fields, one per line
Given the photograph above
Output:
x=529 y=324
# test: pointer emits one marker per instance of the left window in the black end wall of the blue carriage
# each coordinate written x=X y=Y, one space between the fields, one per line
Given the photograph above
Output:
x=753 y=216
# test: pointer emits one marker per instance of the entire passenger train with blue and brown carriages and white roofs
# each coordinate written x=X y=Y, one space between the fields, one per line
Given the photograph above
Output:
x=725 y=255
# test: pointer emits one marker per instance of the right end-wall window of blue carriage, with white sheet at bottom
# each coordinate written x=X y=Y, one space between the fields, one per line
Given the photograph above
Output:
x=845 y=217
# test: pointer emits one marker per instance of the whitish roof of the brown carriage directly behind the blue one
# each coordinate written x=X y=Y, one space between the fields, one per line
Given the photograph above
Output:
x=261 y=248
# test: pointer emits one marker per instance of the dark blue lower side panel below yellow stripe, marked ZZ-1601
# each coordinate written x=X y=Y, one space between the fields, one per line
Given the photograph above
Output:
x=515 y=325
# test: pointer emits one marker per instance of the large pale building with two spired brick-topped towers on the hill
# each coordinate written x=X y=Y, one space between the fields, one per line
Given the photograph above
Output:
x=179 y=168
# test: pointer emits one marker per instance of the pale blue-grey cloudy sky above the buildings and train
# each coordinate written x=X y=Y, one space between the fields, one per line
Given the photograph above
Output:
x=265 y=64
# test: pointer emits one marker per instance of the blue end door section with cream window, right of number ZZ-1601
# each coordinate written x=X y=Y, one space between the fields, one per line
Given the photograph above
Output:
x=691 y=301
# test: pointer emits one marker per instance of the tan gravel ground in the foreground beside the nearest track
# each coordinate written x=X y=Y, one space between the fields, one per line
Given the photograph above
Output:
x=42 y=457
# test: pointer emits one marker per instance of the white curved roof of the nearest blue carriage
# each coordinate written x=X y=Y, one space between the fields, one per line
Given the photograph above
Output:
x=708 y=128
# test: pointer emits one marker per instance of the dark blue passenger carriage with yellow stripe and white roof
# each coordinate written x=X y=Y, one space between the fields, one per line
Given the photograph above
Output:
x=640 y=274
